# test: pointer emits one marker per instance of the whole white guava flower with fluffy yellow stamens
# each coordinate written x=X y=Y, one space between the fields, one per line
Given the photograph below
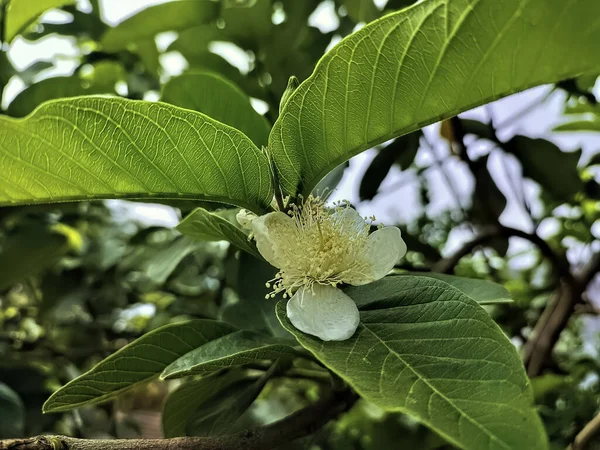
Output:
x=316 y=248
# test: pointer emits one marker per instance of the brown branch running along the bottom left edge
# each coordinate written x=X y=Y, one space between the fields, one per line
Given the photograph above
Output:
x=302 y=423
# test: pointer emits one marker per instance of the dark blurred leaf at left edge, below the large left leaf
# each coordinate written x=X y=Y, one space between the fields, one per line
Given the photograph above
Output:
x=28 y=251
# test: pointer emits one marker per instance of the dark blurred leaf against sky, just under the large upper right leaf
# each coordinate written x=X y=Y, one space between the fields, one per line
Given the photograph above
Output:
x=401 y=151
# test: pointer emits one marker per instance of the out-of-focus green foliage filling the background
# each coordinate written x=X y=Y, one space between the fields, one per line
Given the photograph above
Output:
x=79 y=281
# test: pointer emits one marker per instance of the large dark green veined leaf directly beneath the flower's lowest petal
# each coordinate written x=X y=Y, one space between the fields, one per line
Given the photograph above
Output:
x=425 y=349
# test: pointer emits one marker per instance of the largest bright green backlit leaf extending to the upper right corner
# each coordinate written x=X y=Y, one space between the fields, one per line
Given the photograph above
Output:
x=422 y=64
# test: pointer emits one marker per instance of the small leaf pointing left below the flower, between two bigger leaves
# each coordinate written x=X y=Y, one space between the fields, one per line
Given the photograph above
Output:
x=235 y=349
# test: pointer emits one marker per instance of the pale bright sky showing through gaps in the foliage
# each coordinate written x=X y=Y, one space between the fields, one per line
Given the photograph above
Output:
x=393 y=205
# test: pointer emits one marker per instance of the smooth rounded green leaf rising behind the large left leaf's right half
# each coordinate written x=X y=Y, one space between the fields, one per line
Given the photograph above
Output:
x=220 y=99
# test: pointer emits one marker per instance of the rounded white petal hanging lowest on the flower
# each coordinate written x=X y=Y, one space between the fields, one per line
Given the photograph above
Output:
x=328 y=314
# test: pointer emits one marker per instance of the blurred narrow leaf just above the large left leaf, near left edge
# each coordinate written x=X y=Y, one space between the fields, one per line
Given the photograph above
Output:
x=101 y=81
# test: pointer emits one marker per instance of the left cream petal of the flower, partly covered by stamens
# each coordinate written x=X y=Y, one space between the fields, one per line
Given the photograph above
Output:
x=270 y=232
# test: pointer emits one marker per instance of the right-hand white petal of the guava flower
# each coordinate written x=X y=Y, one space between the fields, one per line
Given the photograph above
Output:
x=384 y=249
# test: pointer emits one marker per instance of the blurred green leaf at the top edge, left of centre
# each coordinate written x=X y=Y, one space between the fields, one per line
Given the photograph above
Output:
x=172 y=16
